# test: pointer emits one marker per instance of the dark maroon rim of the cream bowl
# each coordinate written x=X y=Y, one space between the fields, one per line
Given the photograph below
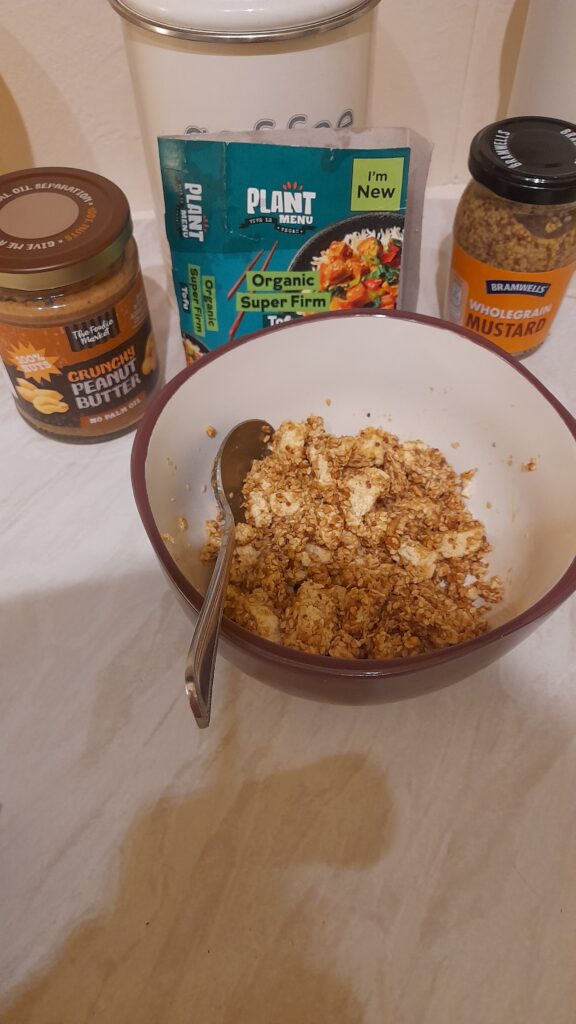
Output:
x=341 y=668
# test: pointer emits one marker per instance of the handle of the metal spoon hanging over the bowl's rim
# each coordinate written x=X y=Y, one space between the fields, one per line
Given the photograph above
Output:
x=202 y=654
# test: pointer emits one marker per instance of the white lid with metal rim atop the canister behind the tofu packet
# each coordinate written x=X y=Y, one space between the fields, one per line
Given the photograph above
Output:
x=241 y=21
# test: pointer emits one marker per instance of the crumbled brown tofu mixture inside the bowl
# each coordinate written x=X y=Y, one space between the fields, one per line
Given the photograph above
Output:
x=357 y=547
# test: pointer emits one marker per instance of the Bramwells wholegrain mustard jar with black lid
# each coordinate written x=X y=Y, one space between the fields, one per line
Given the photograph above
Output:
x=515 y=232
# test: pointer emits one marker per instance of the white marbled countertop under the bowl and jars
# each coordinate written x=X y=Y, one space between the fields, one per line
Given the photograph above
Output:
x=296 y=864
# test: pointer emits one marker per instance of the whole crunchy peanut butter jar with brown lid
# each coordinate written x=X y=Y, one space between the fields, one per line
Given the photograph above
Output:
x=75 y=332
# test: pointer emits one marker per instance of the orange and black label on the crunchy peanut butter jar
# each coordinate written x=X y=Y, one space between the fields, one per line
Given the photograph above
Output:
x=90 y=377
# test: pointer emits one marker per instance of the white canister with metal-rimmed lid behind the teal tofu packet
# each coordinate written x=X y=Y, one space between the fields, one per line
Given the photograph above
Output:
x=231 y=65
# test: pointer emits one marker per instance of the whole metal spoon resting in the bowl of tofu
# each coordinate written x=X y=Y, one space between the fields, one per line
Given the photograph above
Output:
x=246 y=443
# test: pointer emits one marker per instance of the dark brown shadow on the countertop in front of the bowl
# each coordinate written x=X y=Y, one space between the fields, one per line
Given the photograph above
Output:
x=208 y=925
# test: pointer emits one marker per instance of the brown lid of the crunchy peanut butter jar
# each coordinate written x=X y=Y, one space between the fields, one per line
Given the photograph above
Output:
x=59 y=227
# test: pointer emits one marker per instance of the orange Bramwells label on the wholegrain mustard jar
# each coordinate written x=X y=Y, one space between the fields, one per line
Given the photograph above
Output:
x=515 y=311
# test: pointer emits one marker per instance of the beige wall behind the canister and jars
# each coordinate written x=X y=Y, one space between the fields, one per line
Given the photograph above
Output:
x=442 y=67
